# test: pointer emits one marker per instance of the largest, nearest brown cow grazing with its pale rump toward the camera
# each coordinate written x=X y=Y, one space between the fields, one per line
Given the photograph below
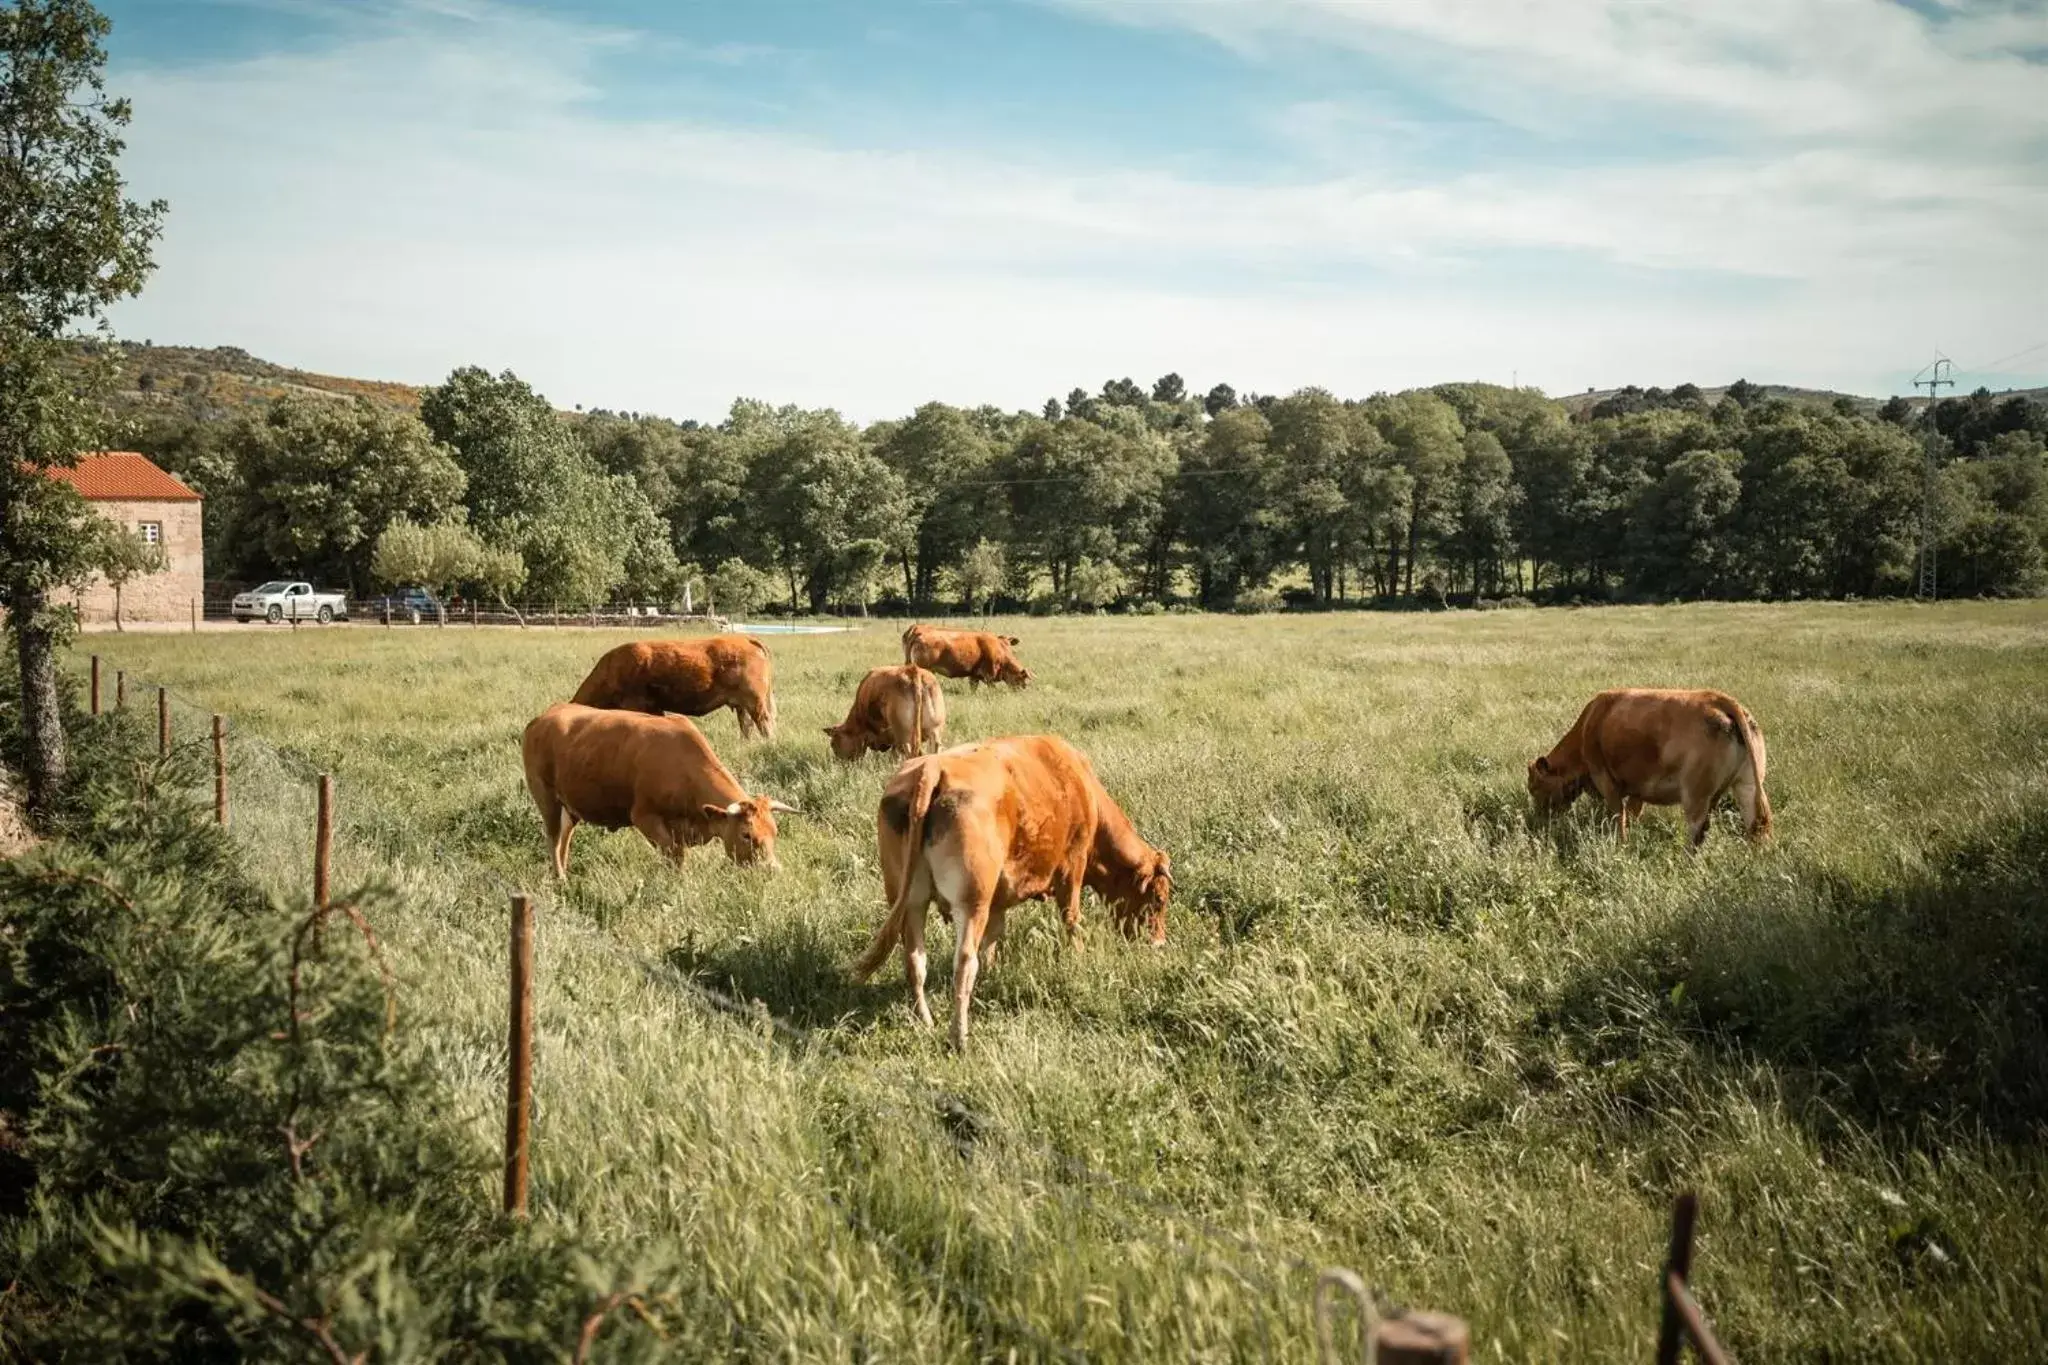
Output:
x=988 y=826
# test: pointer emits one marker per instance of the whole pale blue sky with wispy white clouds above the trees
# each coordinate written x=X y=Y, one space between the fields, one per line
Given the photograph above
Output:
x=667 y=206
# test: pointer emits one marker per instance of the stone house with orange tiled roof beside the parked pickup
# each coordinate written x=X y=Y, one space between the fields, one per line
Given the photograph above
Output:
x=134 y=492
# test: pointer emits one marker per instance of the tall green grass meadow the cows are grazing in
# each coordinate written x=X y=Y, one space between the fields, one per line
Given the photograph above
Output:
x=1396 y=1028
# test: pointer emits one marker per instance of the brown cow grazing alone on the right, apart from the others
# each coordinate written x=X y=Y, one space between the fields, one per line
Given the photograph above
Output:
x=1660 y=748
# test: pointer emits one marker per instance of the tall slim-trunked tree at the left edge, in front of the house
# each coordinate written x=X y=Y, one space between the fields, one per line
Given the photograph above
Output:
x=71 y=245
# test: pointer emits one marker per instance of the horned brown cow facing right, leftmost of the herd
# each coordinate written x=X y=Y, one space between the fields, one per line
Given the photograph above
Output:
x=615 y=768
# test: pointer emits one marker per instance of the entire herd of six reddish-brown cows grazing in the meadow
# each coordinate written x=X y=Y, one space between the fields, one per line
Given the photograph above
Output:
x=982 y=828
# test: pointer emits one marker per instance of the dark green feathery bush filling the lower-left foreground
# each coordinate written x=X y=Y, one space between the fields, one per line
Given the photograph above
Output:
x=216 y=1141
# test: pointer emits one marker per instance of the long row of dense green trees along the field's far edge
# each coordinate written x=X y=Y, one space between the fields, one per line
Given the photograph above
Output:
x=1127 y=496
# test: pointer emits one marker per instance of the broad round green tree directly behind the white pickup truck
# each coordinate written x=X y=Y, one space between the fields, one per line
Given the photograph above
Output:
x=314 y=484
